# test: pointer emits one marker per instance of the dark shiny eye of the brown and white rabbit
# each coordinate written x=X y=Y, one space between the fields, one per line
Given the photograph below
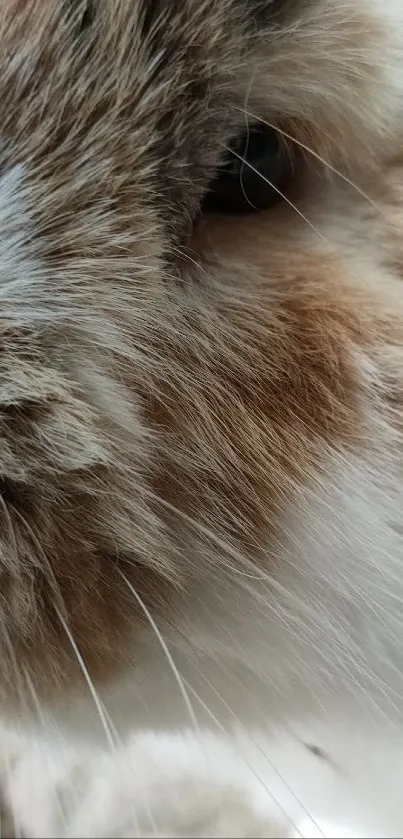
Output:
x=253 y=176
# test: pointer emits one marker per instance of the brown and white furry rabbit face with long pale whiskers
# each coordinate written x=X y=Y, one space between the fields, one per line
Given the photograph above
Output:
x=200 y=410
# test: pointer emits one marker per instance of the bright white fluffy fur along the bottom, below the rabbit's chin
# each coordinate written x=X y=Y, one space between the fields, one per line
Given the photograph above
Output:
x=173 y=785
